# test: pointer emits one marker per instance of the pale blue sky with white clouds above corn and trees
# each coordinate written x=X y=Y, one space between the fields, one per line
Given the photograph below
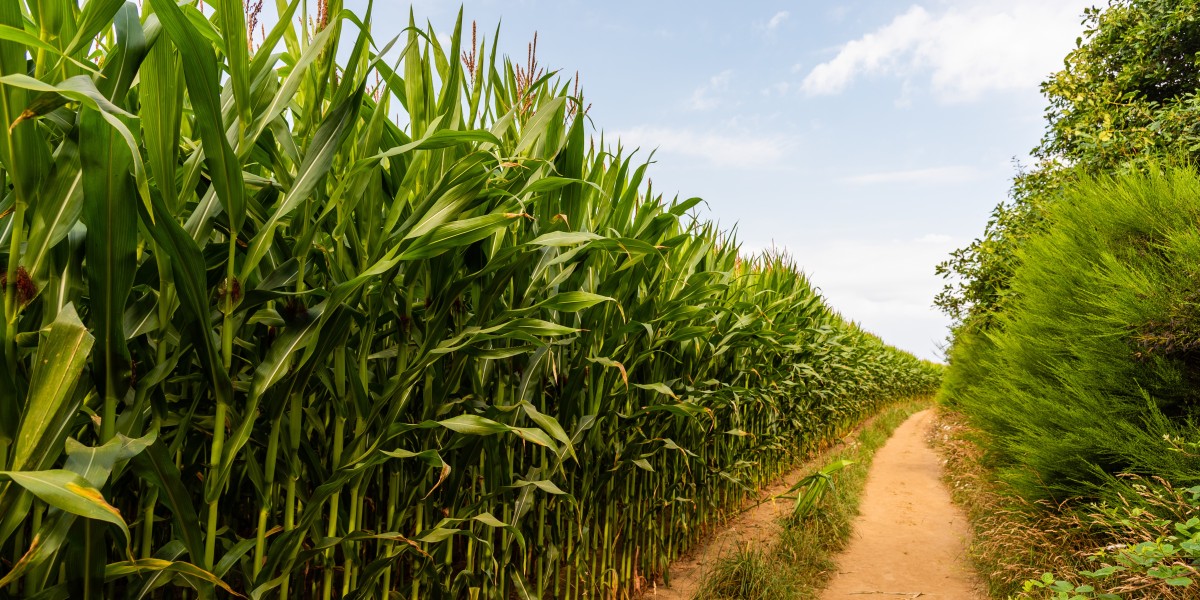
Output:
x=869 y=139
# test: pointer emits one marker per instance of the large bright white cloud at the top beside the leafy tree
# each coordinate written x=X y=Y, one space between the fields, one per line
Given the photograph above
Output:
x=967 y=50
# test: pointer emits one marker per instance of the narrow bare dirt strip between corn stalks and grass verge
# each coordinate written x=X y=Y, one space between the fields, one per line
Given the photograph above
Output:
x=757 y=527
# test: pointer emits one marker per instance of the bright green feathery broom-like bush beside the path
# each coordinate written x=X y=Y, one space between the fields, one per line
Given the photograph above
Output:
x=1093 y=371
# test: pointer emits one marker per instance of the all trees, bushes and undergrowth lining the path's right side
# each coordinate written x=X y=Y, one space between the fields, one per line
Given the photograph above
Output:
x=1076 y=356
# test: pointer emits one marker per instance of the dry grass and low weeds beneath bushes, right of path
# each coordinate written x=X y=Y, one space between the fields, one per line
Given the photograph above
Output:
x=1019 y=542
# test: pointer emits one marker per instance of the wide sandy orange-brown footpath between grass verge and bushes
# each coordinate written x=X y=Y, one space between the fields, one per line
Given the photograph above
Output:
x=909 y=541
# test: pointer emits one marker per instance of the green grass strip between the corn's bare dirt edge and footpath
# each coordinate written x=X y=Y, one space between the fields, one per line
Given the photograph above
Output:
x=800 y=563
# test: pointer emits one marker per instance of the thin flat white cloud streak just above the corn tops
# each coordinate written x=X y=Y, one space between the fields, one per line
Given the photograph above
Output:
x=735 y=149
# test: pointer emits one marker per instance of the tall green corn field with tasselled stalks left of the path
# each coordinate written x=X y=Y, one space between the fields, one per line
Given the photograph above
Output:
x=280 y=325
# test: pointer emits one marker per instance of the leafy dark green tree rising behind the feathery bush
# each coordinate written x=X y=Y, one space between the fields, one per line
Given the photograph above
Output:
x=1126 y=99
